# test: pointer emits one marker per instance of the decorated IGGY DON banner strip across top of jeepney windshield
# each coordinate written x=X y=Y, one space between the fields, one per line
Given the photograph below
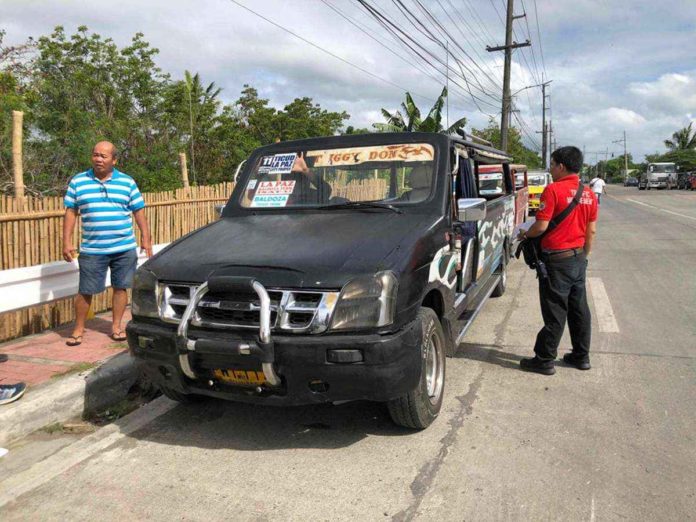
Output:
x=402 y=152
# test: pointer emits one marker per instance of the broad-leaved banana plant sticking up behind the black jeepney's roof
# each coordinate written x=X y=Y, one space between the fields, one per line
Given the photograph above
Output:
x=411 y=121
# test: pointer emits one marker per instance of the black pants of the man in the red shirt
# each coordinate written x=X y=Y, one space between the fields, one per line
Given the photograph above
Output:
x=562 y=295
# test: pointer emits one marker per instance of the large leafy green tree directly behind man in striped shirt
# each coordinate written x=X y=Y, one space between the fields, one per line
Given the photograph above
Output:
x=91 y=90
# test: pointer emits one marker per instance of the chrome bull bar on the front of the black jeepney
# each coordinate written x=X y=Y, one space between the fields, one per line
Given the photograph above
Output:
x=263 y=348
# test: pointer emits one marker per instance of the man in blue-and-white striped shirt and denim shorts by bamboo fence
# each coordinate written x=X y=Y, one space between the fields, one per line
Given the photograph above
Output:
x=105 y=198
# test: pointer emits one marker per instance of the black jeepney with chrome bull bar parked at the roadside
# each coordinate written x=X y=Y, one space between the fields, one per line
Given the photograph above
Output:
x=342 y=268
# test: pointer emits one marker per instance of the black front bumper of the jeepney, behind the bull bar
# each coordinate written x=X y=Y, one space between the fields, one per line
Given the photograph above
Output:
x=390 y=367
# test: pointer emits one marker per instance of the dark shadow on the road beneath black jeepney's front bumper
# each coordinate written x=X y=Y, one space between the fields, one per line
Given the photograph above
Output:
x=218 y=424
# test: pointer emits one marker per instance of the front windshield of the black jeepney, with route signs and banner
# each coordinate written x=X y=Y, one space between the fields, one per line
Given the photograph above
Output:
x=393 y=174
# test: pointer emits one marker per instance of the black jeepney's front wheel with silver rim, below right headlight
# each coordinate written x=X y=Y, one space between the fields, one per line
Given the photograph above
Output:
x=419 y=408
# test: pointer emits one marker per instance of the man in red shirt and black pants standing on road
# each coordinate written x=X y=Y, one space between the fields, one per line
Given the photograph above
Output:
x=565 y=252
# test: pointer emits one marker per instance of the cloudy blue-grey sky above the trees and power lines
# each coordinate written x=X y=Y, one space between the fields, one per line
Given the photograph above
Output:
x=615 y=65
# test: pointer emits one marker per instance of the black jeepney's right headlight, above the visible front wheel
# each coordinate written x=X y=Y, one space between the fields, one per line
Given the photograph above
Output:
x=366 y=302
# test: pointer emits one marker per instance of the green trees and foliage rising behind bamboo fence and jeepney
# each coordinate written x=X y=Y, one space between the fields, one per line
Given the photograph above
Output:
x=77 y=89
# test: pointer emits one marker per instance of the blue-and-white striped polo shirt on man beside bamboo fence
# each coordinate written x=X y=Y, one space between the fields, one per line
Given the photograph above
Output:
x=105 y=207
